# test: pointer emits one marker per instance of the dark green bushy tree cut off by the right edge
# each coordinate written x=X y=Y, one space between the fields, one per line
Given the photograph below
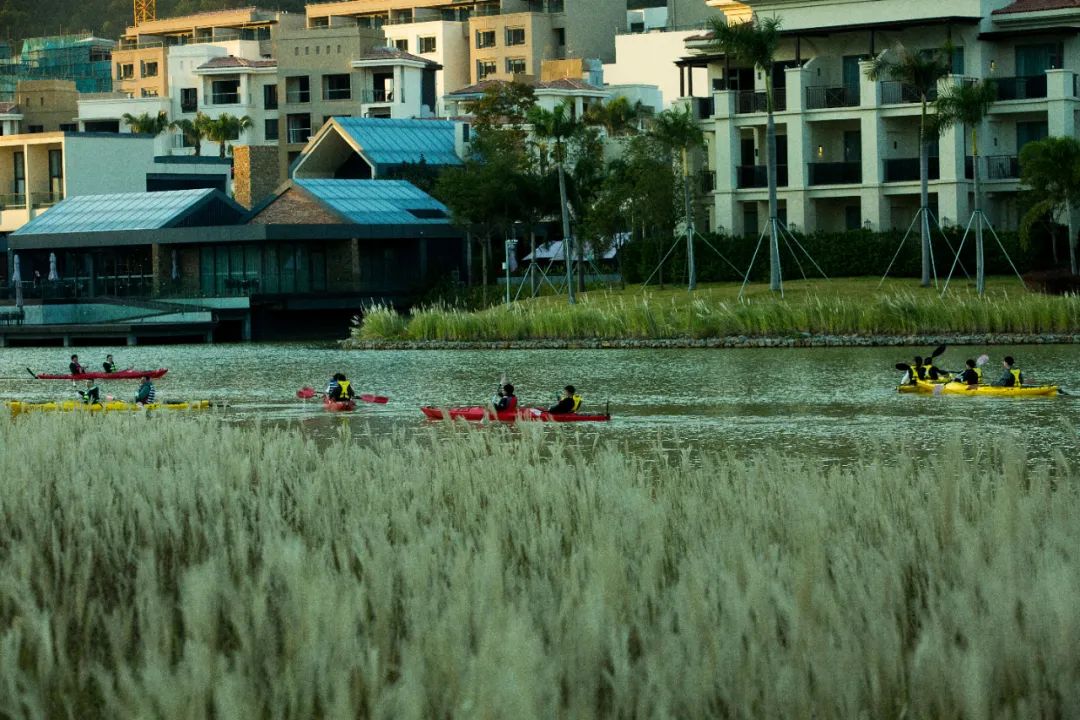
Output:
x=1051 y=171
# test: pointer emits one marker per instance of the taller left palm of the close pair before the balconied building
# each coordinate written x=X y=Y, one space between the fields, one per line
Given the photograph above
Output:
x=921 y=73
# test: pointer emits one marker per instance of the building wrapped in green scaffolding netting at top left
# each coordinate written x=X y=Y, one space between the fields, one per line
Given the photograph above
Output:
x=83 y=59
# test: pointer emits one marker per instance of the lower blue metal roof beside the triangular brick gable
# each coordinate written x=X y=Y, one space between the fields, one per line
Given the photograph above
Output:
x=379 y=202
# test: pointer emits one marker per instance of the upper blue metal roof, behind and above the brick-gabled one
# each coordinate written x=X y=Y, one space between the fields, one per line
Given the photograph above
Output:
x=387 y=142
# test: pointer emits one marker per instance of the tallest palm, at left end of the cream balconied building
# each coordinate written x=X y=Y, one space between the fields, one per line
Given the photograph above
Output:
x=757 y=42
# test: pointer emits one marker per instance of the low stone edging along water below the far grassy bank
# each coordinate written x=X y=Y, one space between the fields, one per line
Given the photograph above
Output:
x=732 y=343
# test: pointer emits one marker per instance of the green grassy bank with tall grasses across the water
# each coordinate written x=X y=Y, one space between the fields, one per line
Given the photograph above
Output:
x=845 y=307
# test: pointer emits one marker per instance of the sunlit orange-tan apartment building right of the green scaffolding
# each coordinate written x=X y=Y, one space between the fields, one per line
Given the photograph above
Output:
x=140 y=59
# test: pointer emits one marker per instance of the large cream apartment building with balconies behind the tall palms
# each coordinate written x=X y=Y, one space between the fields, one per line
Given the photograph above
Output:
x=848 y=146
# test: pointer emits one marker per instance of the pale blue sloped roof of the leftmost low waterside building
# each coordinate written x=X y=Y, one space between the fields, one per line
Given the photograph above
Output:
x=133 y=211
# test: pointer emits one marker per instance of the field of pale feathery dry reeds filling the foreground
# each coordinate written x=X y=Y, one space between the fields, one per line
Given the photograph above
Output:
x=188 y=568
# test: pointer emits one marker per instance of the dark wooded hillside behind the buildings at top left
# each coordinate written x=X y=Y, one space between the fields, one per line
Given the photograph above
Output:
x=107 y=19
